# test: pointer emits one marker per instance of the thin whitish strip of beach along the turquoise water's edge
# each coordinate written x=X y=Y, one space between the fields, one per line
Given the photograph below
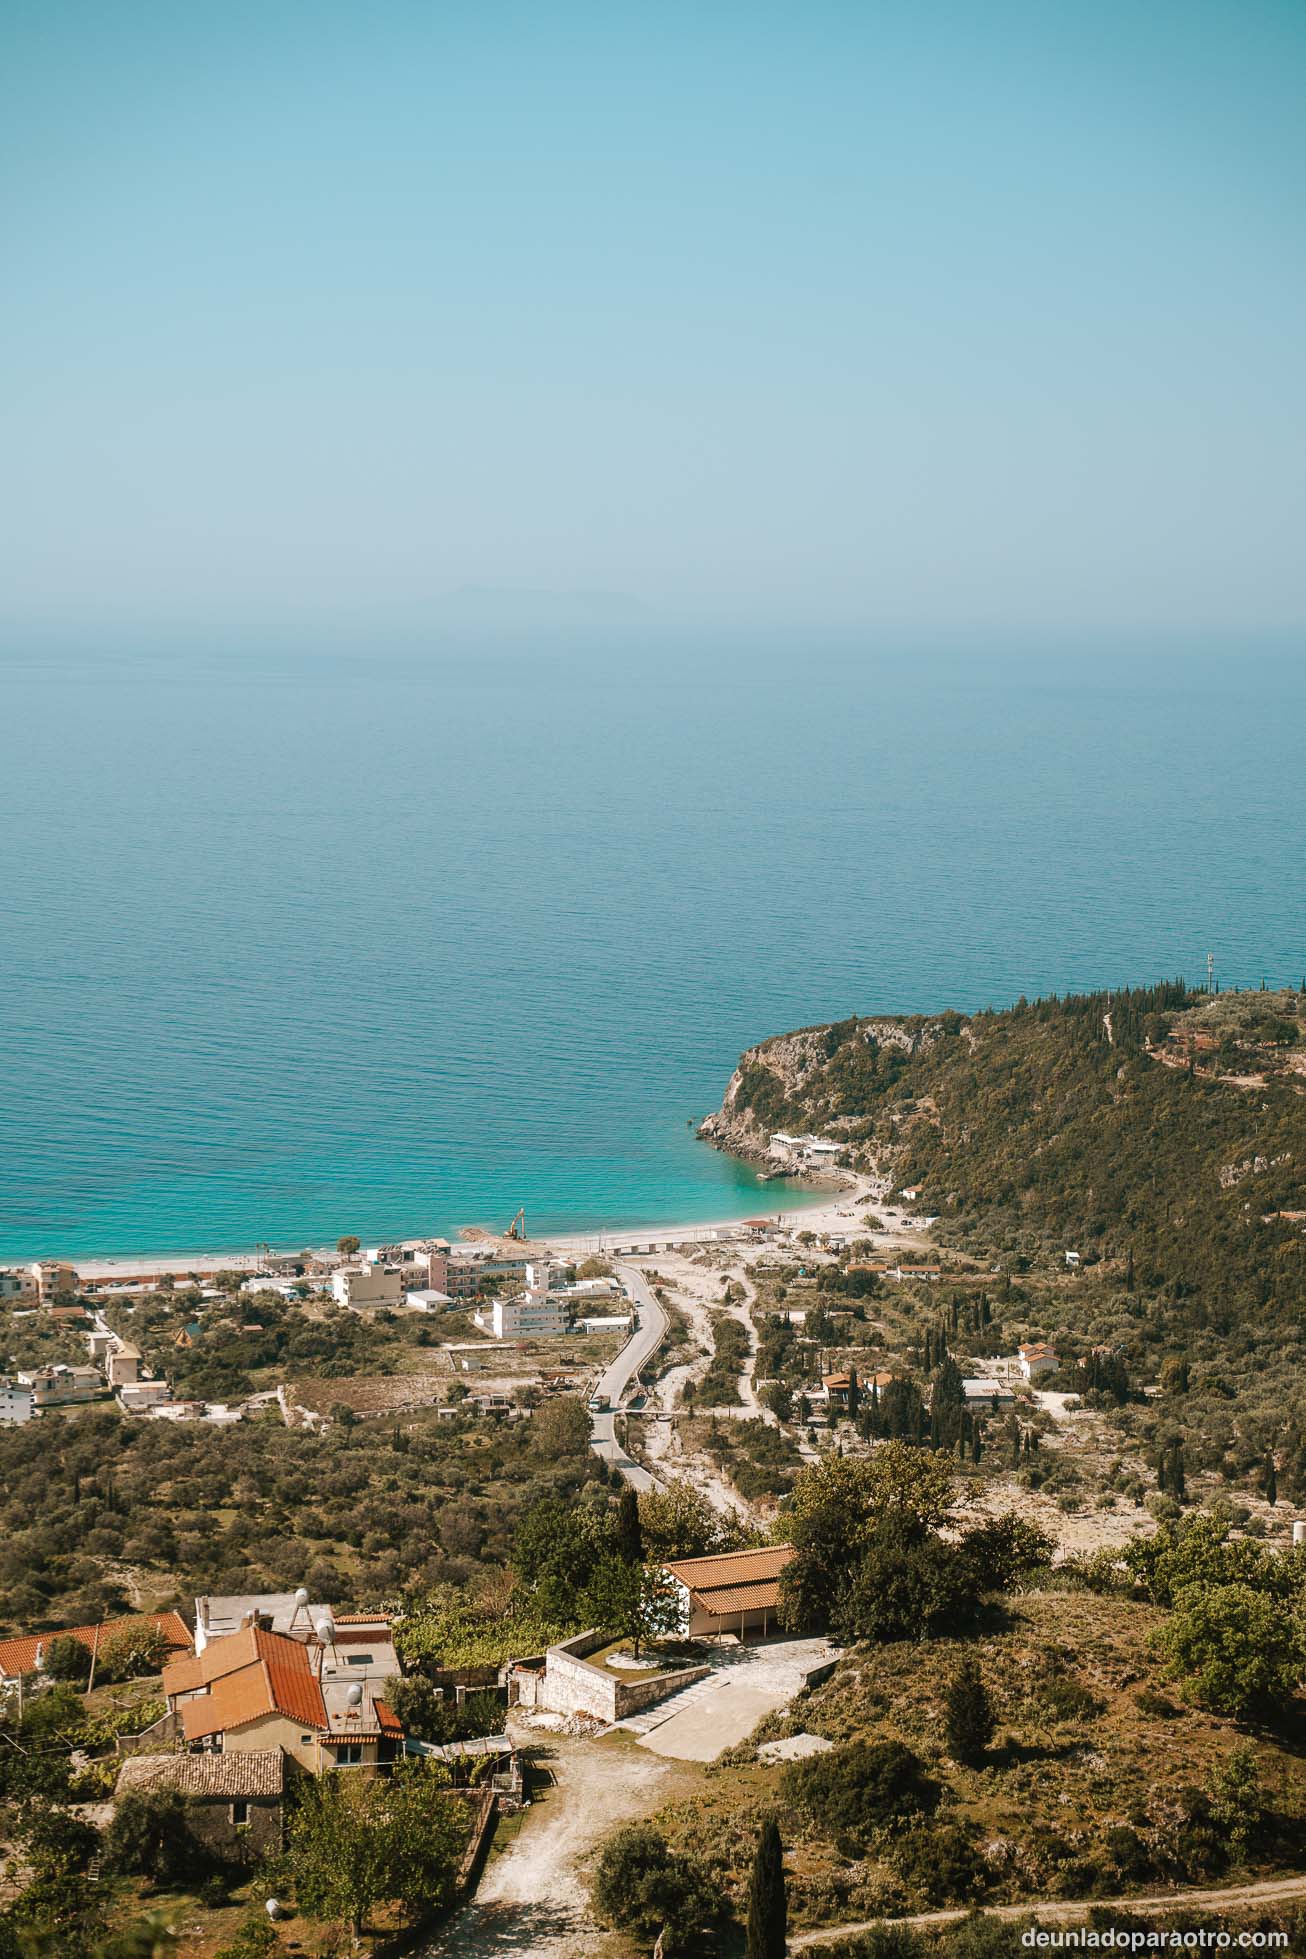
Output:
x=835 y=1206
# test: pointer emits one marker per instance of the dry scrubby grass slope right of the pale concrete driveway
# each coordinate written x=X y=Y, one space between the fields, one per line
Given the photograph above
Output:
x=1058 y=1784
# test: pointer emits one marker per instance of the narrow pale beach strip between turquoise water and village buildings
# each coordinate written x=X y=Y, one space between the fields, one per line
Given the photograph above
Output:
x=825 y=1196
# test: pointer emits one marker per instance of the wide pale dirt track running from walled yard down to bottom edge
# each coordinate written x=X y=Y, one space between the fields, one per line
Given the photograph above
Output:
x=532 y=1901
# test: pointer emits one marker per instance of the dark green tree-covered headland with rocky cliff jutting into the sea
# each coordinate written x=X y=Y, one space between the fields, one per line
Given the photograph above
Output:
x=1156 y=1127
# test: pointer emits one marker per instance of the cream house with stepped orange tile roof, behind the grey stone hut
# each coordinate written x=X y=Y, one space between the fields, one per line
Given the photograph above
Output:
x=257 y=1690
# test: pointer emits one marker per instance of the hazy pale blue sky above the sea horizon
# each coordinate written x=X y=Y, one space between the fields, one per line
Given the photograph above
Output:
x=919 y=312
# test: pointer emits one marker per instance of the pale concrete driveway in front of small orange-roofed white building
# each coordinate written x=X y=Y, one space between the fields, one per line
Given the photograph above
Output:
x=745 y=1686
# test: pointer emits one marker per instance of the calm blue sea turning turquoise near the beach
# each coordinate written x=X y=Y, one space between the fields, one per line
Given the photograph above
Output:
x=304 y=945
